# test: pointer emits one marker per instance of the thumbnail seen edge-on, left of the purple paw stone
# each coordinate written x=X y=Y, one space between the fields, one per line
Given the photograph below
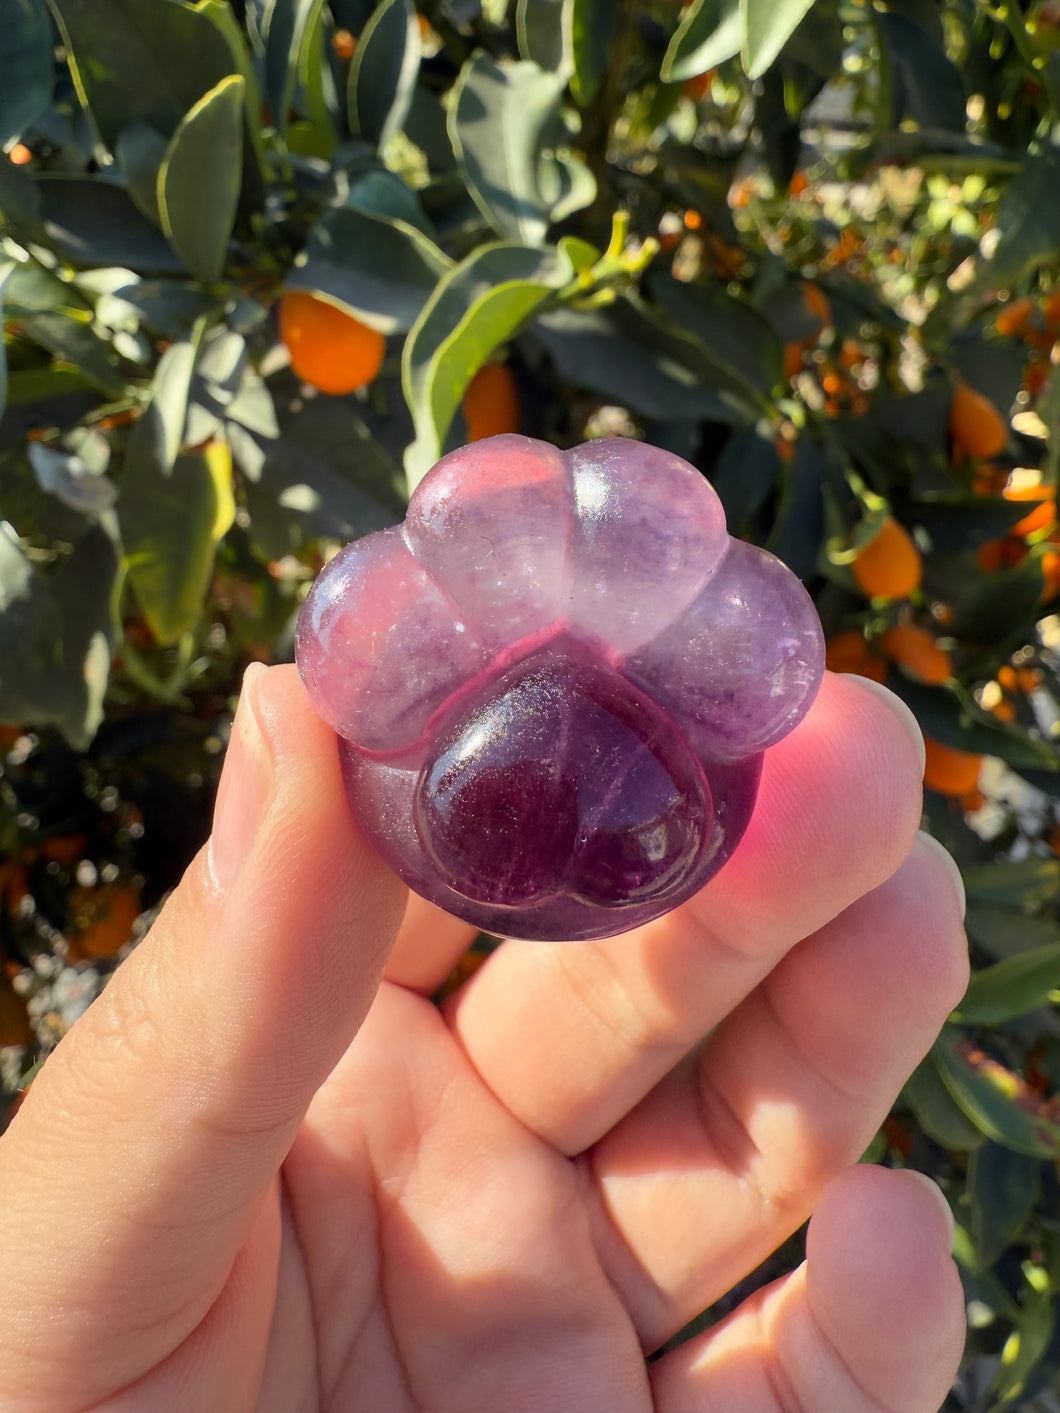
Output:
x=244 y=789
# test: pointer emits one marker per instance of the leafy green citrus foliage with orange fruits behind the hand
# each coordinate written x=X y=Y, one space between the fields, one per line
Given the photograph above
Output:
x=264 y=261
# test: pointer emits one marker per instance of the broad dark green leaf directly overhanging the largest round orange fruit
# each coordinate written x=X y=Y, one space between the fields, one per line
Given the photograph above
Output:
x=382 y=269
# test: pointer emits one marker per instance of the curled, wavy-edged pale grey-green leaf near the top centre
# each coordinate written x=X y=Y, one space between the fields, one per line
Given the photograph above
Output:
x=502 y=122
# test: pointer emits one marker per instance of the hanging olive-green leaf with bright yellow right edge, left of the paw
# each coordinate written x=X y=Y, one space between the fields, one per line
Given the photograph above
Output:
x=170 y=524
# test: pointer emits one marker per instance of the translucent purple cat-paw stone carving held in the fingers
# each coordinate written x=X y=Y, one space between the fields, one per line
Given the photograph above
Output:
x=555 y=683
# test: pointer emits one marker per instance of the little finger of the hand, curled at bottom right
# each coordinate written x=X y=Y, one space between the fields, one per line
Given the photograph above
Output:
x=871 y=1323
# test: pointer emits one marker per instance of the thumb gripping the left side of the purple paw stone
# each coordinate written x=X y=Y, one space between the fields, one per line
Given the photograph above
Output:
x=132 y=1173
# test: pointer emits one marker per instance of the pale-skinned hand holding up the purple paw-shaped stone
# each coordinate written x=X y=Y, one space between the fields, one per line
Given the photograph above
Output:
x=266 y=1172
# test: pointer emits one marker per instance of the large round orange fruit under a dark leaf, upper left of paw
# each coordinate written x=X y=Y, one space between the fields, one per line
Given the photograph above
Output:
x=330 y=350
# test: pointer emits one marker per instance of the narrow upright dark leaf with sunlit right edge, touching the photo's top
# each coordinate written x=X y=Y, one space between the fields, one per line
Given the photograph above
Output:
x=382 y=76
